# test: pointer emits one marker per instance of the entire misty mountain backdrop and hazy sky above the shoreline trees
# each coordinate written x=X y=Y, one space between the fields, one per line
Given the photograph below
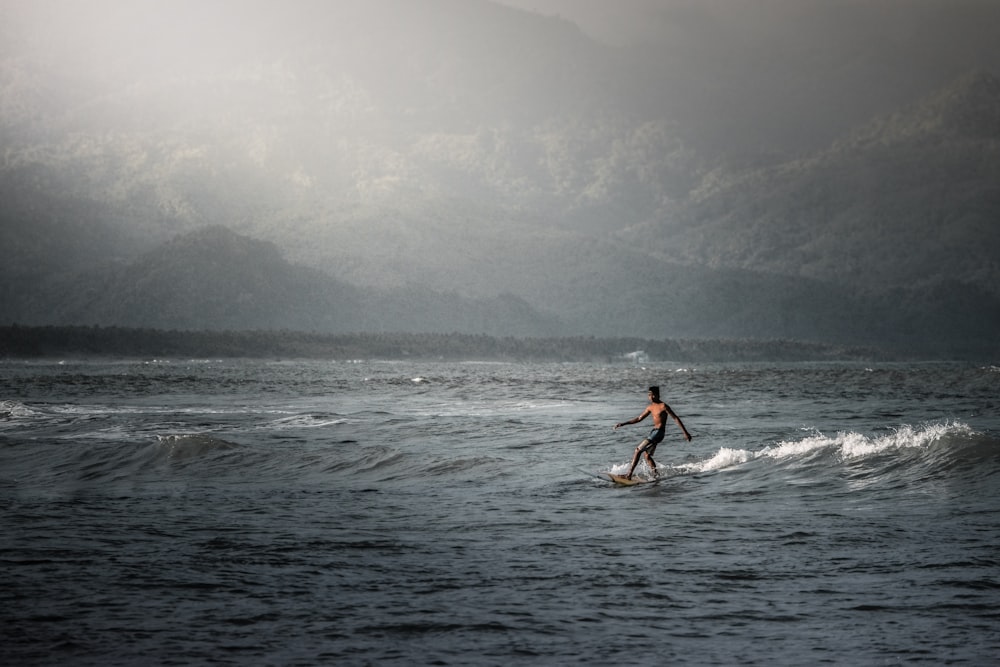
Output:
x=461 y=165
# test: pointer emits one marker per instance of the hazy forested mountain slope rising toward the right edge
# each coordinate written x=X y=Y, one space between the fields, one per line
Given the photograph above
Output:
x=909 y=199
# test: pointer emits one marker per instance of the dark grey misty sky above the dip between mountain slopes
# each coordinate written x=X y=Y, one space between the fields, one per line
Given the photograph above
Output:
x=785 y=76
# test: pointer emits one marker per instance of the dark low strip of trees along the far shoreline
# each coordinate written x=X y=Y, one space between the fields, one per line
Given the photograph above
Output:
x=91 y=341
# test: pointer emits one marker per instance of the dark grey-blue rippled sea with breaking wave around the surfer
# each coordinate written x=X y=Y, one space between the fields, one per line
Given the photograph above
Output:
x=356 y=513
